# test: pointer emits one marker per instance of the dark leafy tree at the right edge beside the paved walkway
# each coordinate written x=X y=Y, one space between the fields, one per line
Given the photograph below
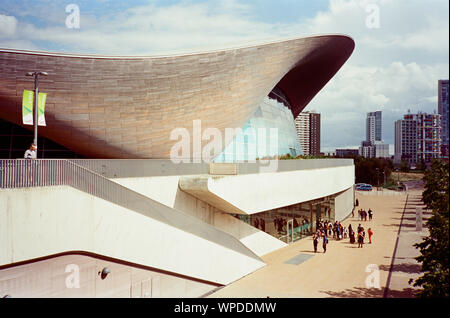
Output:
x=434 y=249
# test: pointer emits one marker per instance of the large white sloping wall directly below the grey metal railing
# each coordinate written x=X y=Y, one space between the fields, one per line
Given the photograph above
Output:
x=37 y=222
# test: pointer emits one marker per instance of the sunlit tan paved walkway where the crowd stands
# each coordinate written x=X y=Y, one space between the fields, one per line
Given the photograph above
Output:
x=341 y=271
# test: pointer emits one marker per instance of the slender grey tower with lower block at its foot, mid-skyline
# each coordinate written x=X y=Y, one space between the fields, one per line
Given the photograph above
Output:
x=373 y=146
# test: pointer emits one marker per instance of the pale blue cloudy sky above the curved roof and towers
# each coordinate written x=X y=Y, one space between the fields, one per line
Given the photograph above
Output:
x=402 y=46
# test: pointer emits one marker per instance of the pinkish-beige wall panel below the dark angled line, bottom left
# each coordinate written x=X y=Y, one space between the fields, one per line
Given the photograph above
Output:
x=77 y=276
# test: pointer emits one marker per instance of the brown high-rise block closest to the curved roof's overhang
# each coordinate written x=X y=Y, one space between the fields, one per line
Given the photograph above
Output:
x=308 y=130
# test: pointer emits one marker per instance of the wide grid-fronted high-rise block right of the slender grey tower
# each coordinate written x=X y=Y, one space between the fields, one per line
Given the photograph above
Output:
x=418 y=136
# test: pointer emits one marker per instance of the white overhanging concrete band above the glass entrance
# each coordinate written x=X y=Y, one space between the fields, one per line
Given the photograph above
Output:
x=253 y=193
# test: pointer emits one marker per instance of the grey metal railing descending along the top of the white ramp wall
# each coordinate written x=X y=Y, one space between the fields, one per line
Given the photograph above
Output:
x=27 y=173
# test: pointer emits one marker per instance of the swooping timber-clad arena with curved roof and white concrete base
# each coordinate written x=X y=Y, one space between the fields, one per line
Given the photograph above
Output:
x=163 y=221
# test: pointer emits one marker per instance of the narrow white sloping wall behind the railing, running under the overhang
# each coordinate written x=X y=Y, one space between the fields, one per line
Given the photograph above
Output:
x=166 y=191
